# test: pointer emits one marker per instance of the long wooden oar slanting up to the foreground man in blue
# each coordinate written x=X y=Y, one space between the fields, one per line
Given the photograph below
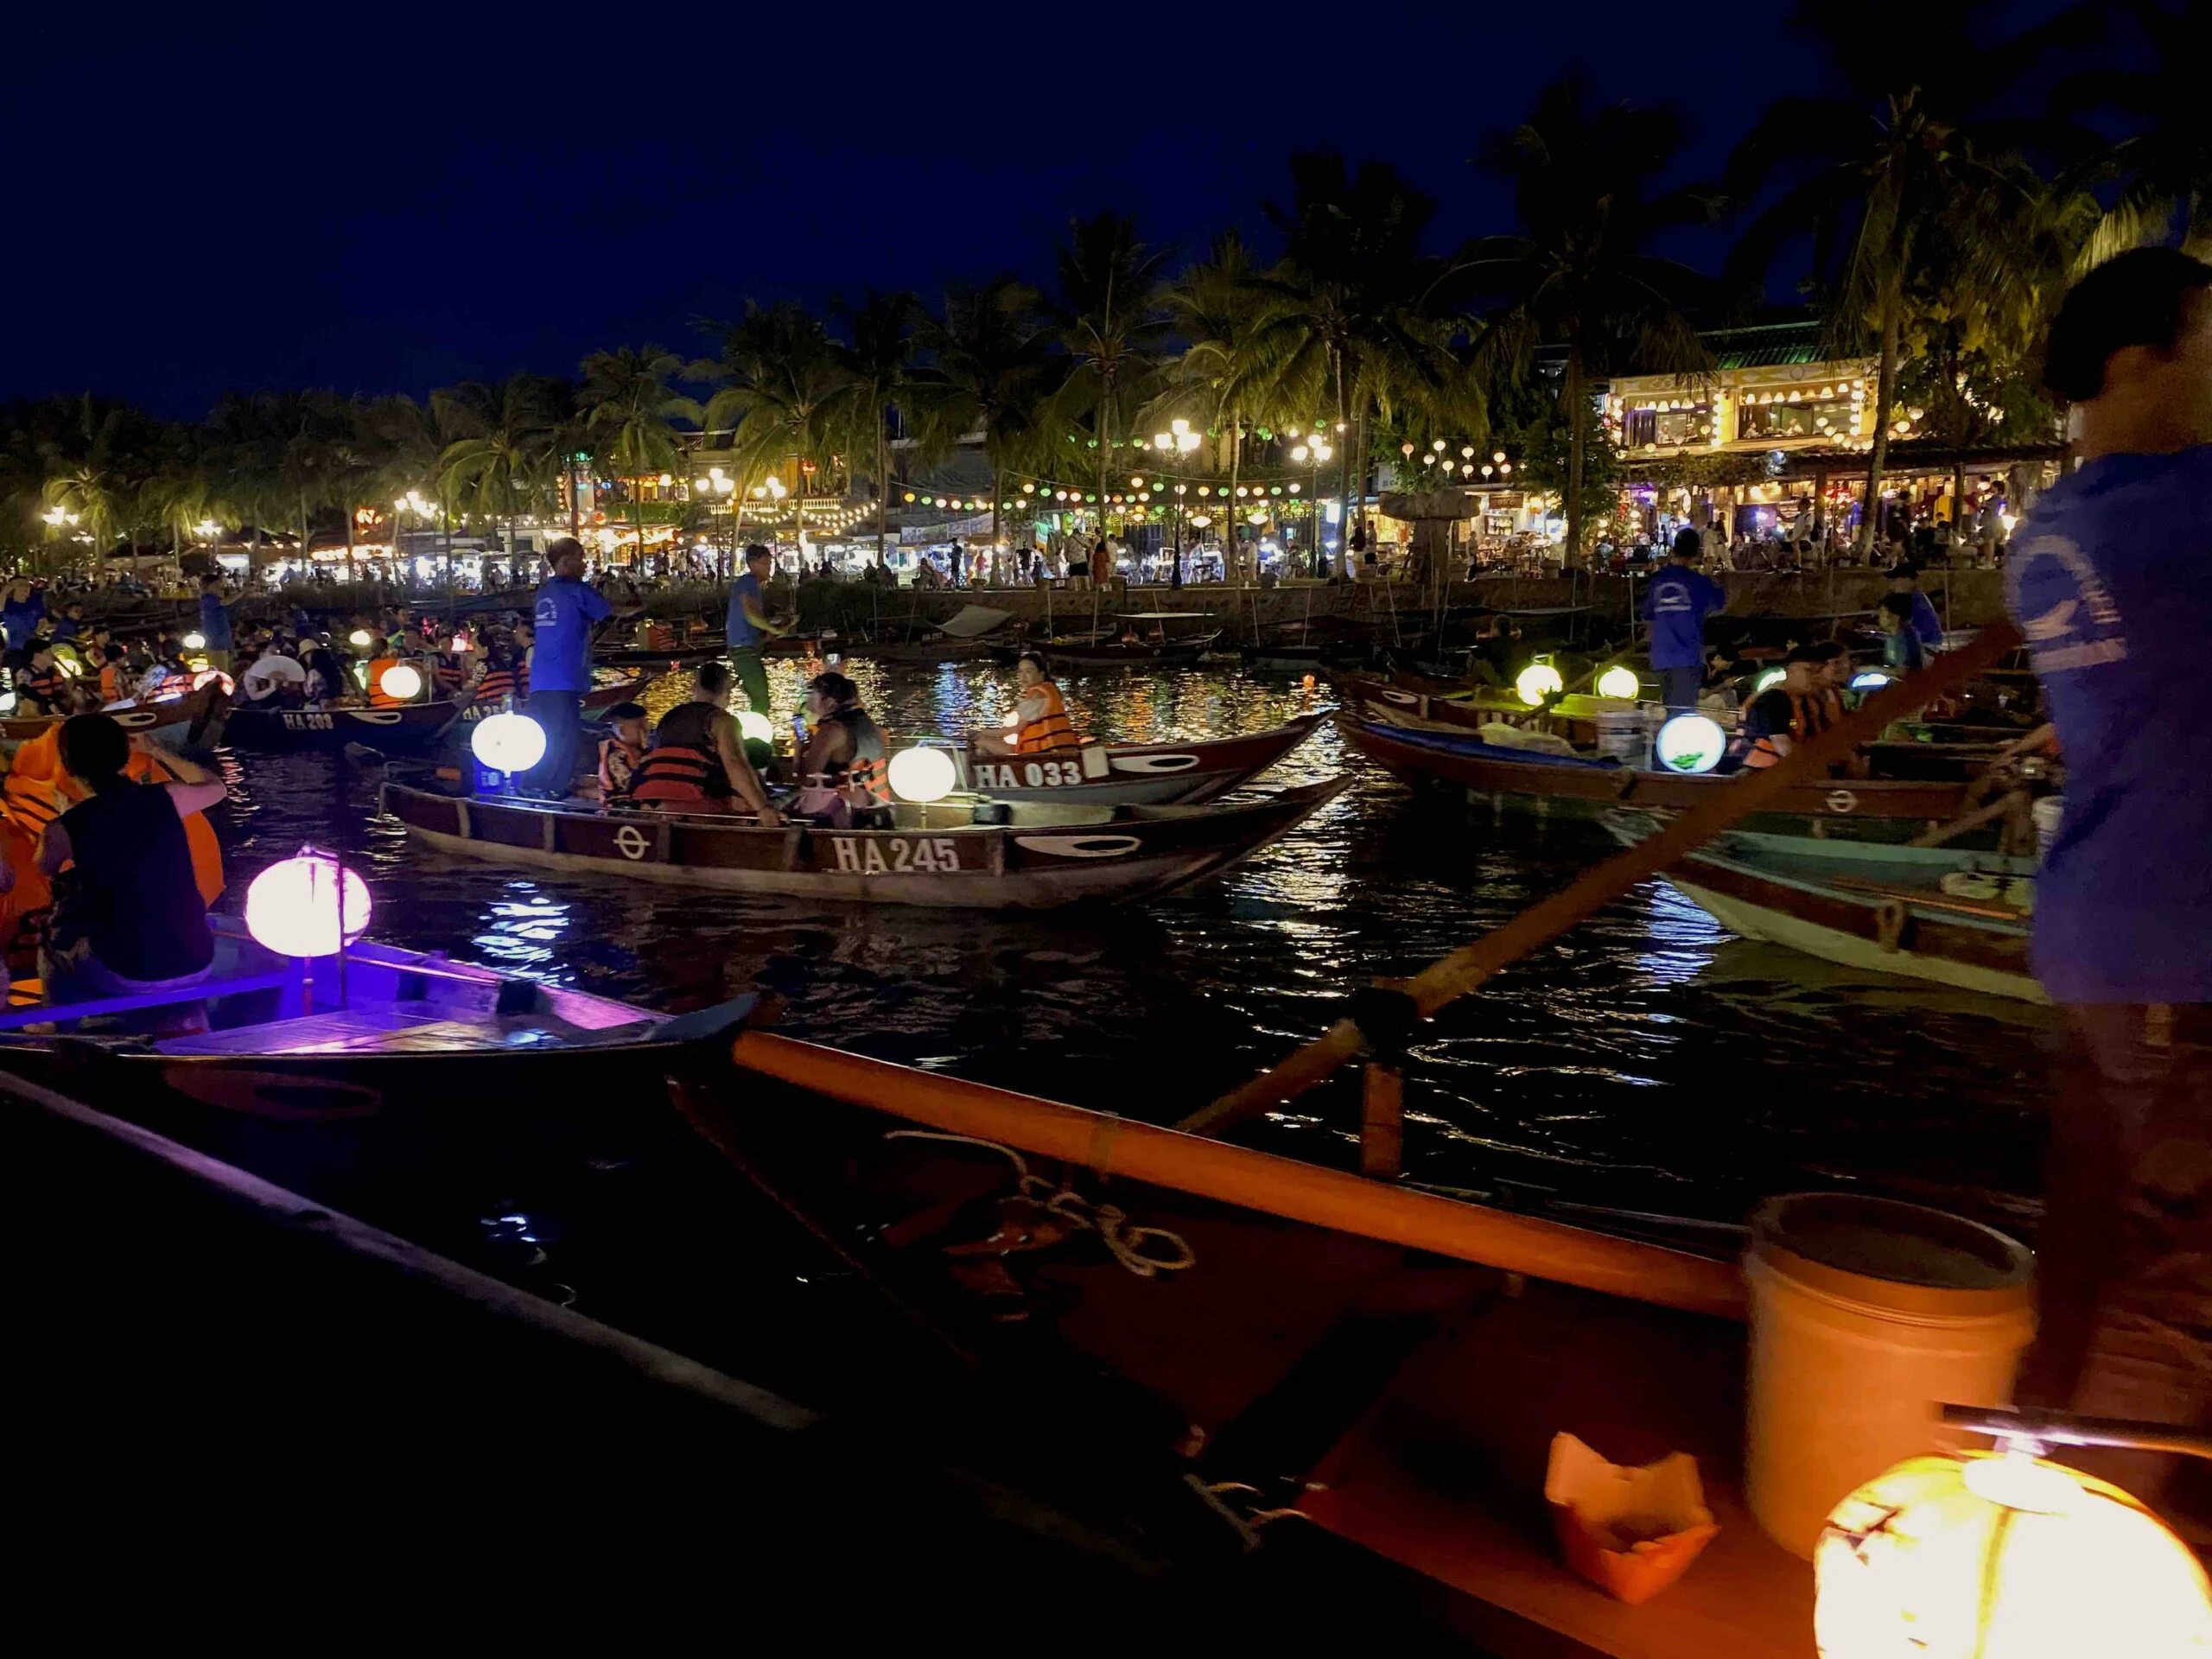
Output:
x=1468 y=968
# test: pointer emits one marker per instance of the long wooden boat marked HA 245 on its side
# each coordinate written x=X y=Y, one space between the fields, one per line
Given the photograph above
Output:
x=1045 y=857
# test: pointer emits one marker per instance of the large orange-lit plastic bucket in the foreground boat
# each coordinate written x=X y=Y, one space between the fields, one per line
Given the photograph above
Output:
x=1866 y=1317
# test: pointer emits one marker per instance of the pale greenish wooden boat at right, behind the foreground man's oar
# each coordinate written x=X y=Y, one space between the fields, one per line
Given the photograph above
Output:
x=1923 y=912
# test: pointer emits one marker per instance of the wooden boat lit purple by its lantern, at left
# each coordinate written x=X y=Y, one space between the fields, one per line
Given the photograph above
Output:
x=386 y=1034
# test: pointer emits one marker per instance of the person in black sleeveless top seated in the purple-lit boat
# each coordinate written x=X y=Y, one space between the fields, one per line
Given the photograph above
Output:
x=127 y=910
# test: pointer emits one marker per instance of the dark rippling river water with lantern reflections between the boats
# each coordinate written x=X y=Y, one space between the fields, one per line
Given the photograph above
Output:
x=1649 y=1061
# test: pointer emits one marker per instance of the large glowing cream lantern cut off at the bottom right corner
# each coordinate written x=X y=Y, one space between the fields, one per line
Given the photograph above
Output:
x=2003 y=1556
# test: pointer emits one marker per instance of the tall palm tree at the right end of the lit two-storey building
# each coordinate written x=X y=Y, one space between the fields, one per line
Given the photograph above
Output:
x=1879 y=174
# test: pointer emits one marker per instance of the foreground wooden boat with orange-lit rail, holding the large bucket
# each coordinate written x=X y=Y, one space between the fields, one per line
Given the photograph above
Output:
x=1311 y=1348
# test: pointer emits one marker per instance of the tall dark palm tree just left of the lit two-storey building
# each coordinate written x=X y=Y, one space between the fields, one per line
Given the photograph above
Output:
x=1580 y=271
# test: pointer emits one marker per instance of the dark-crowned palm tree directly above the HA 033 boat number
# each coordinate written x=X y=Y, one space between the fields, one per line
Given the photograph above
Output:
x=992 y=373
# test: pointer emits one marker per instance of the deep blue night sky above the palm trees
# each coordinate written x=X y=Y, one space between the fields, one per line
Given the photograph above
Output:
x=395 y=198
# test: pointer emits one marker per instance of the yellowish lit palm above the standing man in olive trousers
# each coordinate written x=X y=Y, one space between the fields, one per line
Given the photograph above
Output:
x=784 y=386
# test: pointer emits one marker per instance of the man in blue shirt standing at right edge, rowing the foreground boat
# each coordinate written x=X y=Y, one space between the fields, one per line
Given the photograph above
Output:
x=2107 y=578
